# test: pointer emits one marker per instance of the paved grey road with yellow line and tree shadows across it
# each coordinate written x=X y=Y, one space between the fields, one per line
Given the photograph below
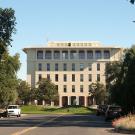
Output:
x=56 y=125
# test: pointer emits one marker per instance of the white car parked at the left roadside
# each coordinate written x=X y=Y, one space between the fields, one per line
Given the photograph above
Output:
x=13 y=110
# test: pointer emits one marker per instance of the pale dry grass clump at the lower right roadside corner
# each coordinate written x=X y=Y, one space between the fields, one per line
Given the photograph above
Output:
x=125 y=123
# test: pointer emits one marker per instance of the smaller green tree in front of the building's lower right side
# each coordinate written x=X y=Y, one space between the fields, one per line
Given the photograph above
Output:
x=98 y=92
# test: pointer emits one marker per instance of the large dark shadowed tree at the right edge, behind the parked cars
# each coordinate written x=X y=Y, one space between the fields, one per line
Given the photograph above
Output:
x=122 y=90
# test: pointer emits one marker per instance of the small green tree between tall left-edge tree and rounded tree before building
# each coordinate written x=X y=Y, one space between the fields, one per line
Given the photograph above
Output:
x=24 y=92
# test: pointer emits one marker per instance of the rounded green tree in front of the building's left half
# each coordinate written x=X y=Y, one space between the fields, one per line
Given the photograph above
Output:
x=47 y=90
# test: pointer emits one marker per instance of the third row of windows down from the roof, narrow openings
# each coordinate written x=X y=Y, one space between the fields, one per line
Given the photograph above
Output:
x=65 y=79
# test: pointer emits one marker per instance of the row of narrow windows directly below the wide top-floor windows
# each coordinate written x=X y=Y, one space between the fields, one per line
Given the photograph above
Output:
x=48 y=67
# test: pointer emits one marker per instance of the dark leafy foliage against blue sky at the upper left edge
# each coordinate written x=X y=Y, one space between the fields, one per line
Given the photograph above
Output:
x=7 y=28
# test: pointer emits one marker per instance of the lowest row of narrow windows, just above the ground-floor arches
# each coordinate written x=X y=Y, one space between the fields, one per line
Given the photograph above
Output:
x=74 y=89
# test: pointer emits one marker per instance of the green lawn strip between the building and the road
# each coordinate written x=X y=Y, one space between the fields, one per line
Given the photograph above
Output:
x=31 y=109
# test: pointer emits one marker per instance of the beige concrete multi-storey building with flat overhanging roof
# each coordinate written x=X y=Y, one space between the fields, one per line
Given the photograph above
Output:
x=72 y=66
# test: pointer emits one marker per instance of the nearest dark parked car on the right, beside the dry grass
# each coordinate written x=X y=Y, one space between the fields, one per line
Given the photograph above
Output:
x=113 y=112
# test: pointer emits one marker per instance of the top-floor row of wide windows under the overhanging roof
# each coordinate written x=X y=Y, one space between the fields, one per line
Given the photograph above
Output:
x=73 y=54
